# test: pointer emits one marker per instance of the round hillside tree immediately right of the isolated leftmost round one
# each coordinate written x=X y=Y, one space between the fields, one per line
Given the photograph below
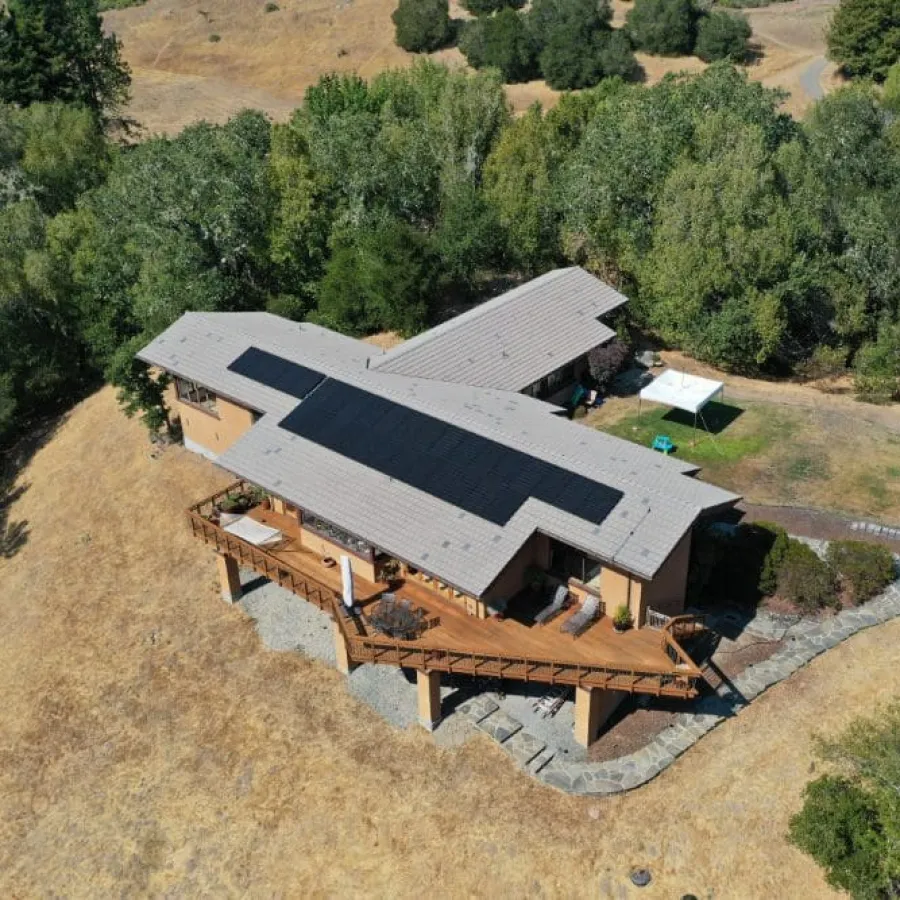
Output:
x=502 y=41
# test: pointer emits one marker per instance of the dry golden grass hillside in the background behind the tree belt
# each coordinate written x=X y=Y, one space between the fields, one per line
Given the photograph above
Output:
x=267 y=60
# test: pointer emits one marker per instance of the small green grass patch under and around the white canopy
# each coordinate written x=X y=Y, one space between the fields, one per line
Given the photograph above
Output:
x=731 y=433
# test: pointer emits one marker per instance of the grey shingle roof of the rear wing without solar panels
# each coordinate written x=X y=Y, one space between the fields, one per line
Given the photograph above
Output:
x=515 y=339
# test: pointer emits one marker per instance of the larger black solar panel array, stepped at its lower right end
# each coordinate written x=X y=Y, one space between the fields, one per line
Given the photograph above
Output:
x=473 y=473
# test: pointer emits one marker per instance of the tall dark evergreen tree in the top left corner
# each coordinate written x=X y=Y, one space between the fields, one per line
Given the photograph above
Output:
x=56 y=50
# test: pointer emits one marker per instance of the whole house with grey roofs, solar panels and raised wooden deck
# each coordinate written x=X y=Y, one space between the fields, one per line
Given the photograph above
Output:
x=444 y=480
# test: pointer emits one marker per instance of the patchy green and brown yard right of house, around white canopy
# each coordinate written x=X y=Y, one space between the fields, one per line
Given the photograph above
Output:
x=774 y=453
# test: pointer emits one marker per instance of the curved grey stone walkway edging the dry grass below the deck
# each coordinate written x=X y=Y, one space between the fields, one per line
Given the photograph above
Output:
x=804 y=641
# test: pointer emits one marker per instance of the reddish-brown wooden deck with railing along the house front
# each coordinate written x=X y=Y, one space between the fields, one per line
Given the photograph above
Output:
x=642 y=660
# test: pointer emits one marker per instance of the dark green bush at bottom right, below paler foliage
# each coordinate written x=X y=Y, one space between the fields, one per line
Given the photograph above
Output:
x=839 y=828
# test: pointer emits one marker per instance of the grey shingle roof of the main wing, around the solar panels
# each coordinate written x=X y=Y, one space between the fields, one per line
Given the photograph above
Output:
x=654 y=502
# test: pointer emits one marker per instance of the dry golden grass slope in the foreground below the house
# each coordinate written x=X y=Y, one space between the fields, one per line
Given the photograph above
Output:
x=151 y=745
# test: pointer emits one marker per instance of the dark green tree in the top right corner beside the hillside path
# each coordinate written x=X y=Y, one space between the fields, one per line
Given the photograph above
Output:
x=864 y=37
